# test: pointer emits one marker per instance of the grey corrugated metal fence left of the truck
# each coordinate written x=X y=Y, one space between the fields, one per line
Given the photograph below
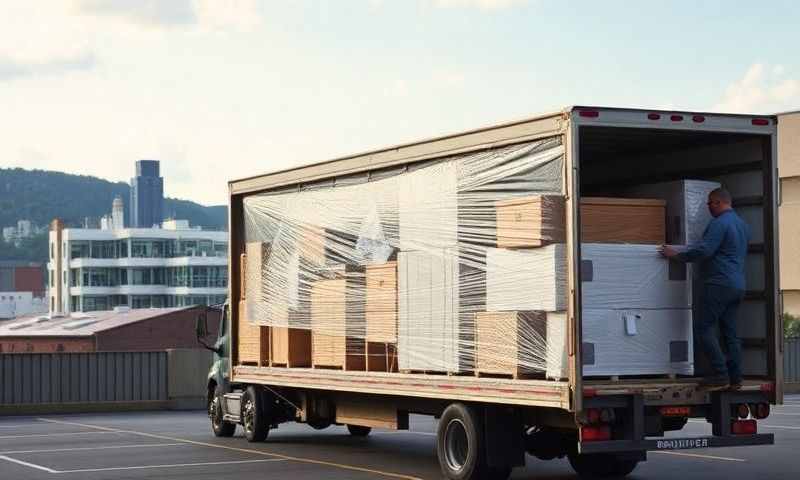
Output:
x=34 y=378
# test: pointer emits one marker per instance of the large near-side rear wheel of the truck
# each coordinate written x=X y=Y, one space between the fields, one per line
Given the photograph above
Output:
x=460 y=446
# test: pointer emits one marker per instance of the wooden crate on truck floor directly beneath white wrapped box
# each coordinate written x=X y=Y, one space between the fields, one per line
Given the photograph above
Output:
x=510 y=343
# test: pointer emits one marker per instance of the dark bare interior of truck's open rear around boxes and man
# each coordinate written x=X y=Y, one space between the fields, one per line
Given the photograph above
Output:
x=617 y=161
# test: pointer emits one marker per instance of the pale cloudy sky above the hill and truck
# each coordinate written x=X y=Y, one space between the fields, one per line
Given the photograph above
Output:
x=224 y=89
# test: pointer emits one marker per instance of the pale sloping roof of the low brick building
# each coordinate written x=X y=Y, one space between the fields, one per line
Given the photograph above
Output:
x=79 y=324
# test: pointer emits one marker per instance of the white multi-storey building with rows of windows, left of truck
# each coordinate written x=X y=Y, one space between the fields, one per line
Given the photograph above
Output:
x=93 y=269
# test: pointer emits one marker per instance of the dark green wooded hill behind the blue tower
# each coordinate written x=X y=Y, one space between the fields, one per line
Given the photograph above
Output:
x=41 y=195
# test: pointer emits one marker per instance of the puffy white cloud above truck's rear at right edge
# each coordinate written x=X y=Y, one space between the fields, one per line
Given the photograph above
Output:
x=761 y=90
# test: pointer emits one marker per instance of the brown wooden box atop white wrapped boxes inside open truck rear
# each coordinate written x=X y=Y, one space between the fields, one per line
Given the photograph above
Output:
x=623 y=220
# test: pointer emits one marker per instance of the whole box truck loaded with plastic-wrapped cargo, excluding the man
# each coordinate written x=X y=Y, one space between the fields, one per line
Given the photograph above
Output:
x=507 y=281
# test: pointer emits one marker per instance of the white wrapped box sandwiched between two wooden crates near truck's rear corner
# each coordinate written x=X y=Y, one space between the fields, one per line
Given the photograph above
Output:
x=532 y=279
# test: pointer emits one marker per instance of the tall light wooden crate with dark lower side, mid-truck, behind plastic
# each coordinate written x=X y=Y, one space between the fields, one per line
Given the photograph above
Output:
x=337 y=323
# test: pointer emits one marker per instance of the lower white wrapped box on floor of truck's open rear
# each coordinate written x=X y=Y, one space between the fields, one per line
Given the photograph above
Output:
x=637 y=342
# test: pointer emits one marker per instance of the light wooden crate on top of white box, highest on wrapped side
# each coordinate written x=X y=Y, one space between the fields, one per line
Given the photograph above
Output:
x=531 y=221
